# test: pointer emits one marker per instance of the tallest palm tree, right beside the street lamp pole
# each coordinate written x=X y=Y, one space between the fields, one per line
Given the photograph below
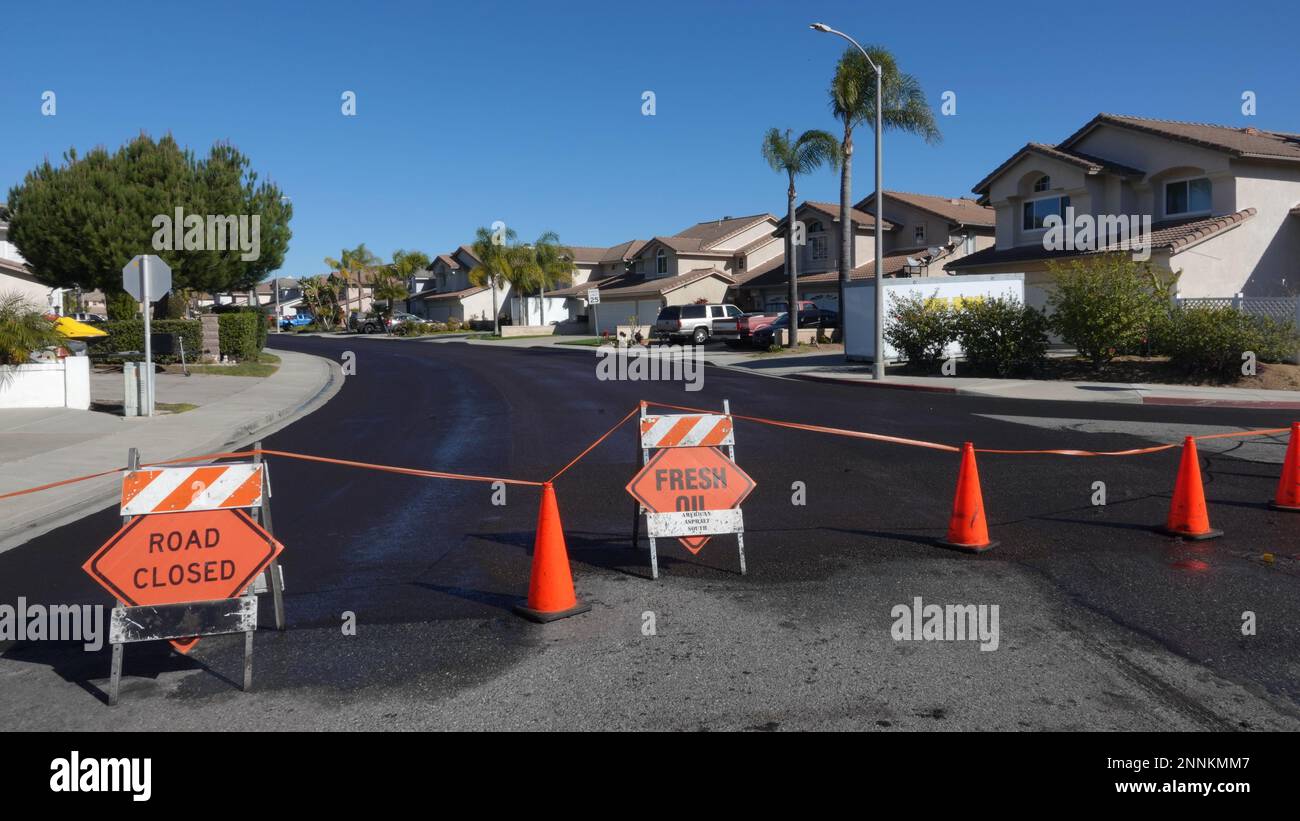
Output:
x=853 y=102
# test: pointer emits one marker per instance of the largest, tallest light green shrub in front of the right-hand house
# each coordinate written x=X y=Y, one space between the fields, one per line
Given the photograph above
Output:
x=1108 y=305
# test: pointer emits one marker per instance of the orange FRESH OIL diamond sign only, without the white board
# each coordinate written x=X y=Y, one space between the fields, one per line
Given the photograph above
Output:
x=679 y=480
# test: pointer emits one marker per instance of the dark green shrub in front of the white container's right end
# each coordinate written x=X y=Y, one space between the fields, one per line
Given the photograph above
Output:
x=1002 y=336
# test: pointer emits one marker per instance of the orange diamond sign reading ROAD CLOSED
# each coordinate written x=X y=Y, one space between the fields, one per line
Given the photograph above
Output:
x=175 y=558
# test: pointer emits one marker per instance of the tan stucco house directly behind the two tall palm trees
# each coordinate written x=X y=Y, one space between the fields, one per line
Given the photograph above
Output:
x=920 y=233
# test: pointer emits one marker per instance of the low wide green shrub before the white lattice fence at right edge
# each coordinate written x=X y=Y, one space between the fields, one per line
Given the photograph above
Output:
x=1211 y=342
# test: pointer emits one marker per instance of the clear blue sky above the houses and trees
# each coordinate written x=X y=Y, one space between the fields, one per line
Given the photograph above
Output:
x=531 y=114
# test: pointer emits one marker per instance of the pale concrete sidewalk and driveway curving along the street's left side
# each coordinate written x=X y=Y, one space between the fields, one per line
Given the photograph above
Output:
x=42 y=446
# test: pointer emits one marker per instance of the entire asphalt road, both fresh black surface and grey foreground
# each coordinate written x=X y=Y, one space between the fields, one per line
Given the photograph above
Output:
x=1103 y=624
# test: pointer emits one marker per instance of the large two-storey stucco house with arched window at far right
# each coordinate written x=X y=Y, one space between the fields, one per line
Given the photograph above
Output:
x=1223 y=202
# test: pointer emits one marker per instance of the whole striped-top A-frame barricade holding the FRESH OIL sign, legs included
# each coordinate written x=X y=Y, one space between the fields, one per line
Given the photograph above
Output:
x=690 y=489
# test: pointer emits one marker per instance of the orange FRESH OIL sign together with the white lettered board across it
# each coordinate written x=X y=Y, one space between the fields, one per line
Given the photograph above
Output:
x=691 y=494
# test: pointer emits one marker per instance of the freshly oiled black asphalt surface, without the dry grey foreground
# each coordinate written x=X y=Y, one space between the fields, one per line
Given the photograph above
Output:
x=431 y=567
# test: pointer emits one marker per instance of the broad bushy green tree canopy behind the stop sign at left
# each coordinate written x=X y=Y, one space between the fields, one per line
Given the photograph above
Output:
x=79 y=223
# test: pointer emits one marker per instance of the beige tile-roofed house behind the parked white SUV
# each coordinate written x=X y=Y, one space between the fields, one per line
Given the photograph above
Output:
x=697 y=264
